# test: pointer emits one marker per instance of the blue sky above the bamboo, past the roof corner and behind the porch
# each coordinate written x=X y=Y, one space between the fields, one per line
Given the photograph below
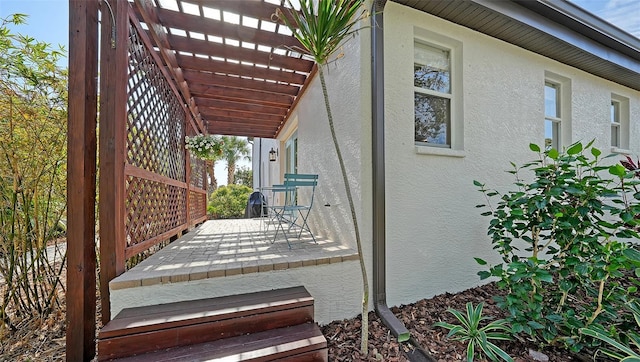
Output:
x=48 y=21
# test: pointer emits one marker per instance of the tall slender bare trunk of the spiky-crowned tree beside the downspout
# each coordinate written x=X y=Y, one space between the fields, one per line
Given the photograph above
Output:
x=365 y=281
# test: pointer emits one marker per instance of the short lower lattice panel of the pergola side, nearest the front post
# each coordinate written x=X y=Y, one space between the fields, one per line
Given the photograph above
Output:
x=152 y=209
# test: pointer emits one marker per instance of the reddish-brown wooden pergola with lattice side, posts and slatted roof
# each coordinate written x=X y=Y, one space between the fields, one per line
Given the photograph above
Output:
x=167 y=69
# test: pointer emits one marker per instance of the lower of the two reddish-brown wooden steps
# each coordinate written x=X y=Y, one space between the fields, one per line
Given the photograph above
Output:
x=300 y=343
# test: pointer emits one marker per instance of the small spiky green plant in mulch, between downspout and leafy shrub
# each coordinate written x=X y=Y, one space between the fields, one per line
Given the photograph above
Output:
x=470 y=331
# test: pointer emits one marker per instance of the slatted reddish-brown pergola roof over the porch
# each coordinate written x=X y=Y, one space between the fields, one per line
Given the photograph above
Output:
x=233 y=63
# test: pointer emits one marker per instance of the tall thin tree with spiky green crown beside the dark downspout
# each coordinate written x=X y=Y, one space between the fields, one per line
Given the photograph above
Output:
x=321 y=33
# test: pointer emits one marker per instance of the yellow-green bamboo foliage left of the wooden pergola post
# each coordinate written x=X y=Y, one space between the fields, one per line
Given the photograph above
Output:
x=33 y=116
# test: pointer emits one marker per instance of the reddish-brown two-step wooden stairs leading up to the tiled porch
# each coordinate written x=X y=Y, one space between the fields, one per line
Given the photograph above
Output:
x=256 y=318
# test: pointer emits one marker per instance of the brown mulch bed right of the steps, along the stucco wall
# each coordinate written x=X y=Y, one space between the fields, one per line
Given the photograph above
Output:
x=344 y=336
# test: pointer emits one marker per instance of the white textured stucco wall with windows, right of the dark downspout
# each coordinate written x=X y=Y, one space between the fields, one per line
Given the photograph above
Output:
x=433 y=227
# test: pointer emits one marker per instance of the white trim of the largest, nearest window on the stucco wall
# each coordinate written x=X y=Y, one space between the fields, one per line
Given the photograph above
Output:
x=456 y=136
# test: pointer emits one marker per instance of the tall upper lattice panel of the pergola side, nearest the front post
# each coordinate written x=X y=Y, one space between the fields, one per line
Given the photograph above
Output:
x=155 y=116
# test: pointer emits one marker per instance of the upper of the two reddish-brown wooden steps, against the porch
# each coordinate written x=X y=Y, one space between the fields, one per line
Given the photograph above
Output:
x=158 y=327
